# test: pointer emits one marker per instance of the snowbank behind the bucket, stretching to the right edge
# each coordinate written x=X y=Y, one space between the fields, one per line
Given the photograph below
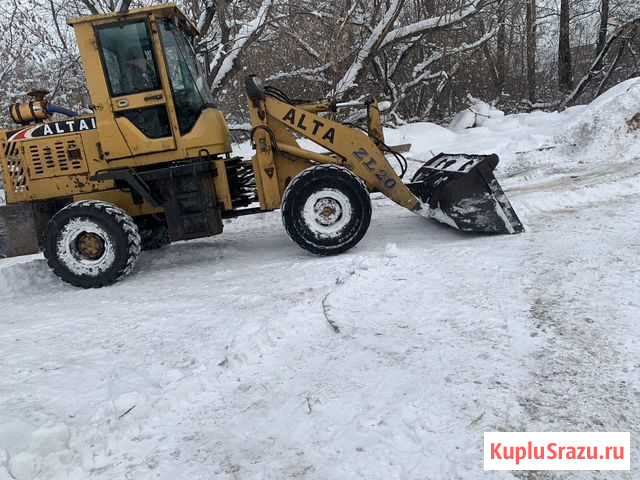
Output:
x=548 y=160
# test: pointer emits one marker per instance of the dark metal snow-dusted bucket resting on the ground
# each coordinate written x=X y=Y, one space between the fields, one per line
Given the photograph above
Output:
x=462 y=192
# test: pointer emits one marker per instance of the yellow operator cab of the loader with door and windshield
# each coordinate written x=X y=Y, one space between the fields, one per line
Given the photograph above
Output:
x=150 y=95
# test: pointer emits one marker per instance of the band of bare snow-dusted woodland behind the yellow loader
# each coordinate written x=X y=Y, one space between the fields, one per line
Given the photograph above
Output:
x=423 y=56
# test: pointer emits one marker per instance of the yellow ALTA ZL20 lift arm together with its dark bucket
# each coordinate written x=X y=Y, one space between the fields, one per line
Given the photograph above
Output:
x=459 y=190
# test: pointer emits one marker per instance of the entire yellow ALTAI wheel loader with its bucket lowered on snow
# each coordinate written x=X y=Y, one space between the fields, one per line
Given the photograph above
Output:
x=152 y=163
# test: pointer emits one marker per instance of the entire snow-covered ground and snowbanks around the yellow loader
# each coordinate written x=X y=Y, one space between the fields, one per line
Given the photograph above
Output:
x=218 y=358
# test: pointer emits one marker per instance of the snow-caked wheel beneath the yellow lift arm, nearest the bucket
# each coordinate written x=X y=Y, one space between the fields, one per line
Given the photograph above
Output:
x=326 y=209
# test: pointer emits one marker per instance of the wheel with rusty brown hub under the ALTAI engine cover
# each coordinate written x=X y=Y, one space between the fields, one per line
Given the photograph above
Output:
x=92 y=244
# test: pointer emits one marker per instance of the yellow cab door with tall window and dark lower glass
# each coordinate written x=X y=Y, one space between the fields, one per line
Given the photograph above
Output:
x=136 y=120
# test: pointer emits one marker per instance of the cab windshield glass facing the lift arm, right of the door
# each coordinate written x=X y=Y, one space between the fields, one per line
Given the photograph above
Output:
x=190 y=91
